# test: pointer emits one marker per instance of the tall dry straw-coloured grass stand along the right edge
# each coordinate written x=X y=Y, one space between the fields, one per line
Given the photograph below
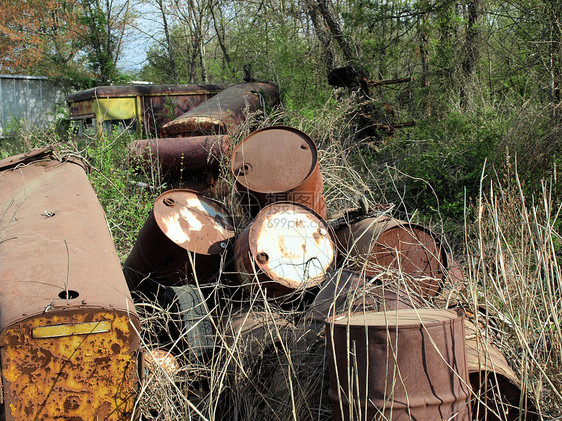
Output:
x=513 y=266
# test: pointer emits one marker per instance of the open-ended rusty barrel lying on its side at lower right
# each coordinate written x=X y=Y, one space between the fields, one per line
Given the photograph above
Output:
x=492 y=380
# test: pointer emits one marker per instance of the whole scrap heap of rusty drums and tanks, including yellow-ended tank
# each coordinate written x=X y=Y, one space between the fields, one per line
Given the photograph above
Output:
x=384 y=293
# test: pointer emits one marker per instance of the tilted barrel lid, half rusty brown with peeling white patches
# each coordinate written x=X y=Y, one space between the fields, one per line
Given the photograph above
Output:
x=193 y=221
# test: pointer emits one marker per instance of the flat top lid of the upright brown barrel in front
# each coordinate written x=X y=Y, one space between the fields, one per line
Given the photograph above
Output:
x=403 y=318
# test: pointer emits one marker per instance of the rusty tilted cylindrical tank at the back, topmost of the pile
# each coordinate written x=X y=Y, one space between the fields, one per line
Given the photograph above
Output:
x=225 y=112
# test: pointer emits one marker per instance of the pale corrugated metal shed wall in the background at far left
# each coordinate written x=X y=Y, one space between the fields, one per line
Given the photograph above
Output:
x=28 y=99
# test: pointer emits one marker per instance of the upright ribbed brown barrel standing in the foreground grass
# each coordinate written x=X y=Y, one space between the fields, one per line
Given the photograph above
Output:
x=399 y=365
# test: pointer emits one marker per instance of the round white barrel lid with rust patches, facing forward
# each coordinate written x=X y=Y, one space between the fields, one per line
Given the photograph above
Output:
x=292 y=245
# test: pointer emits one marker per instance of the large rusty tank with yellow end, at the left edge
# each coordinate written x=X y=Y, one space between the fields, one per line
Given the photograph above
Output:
x=68 y=328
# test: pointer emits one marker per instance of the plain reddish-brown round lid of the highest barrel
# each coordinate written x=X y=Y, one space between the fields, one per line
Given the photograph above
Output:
x=274 y=159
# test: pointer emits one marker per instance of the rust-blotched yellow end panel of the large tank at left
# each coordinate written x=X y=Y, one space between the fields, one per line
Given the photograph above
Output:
x=77 y=375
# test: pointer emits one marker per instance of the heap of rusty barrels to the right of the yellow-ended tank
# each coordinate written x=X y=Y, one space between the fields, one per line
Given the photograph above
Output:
x=398 y=341
